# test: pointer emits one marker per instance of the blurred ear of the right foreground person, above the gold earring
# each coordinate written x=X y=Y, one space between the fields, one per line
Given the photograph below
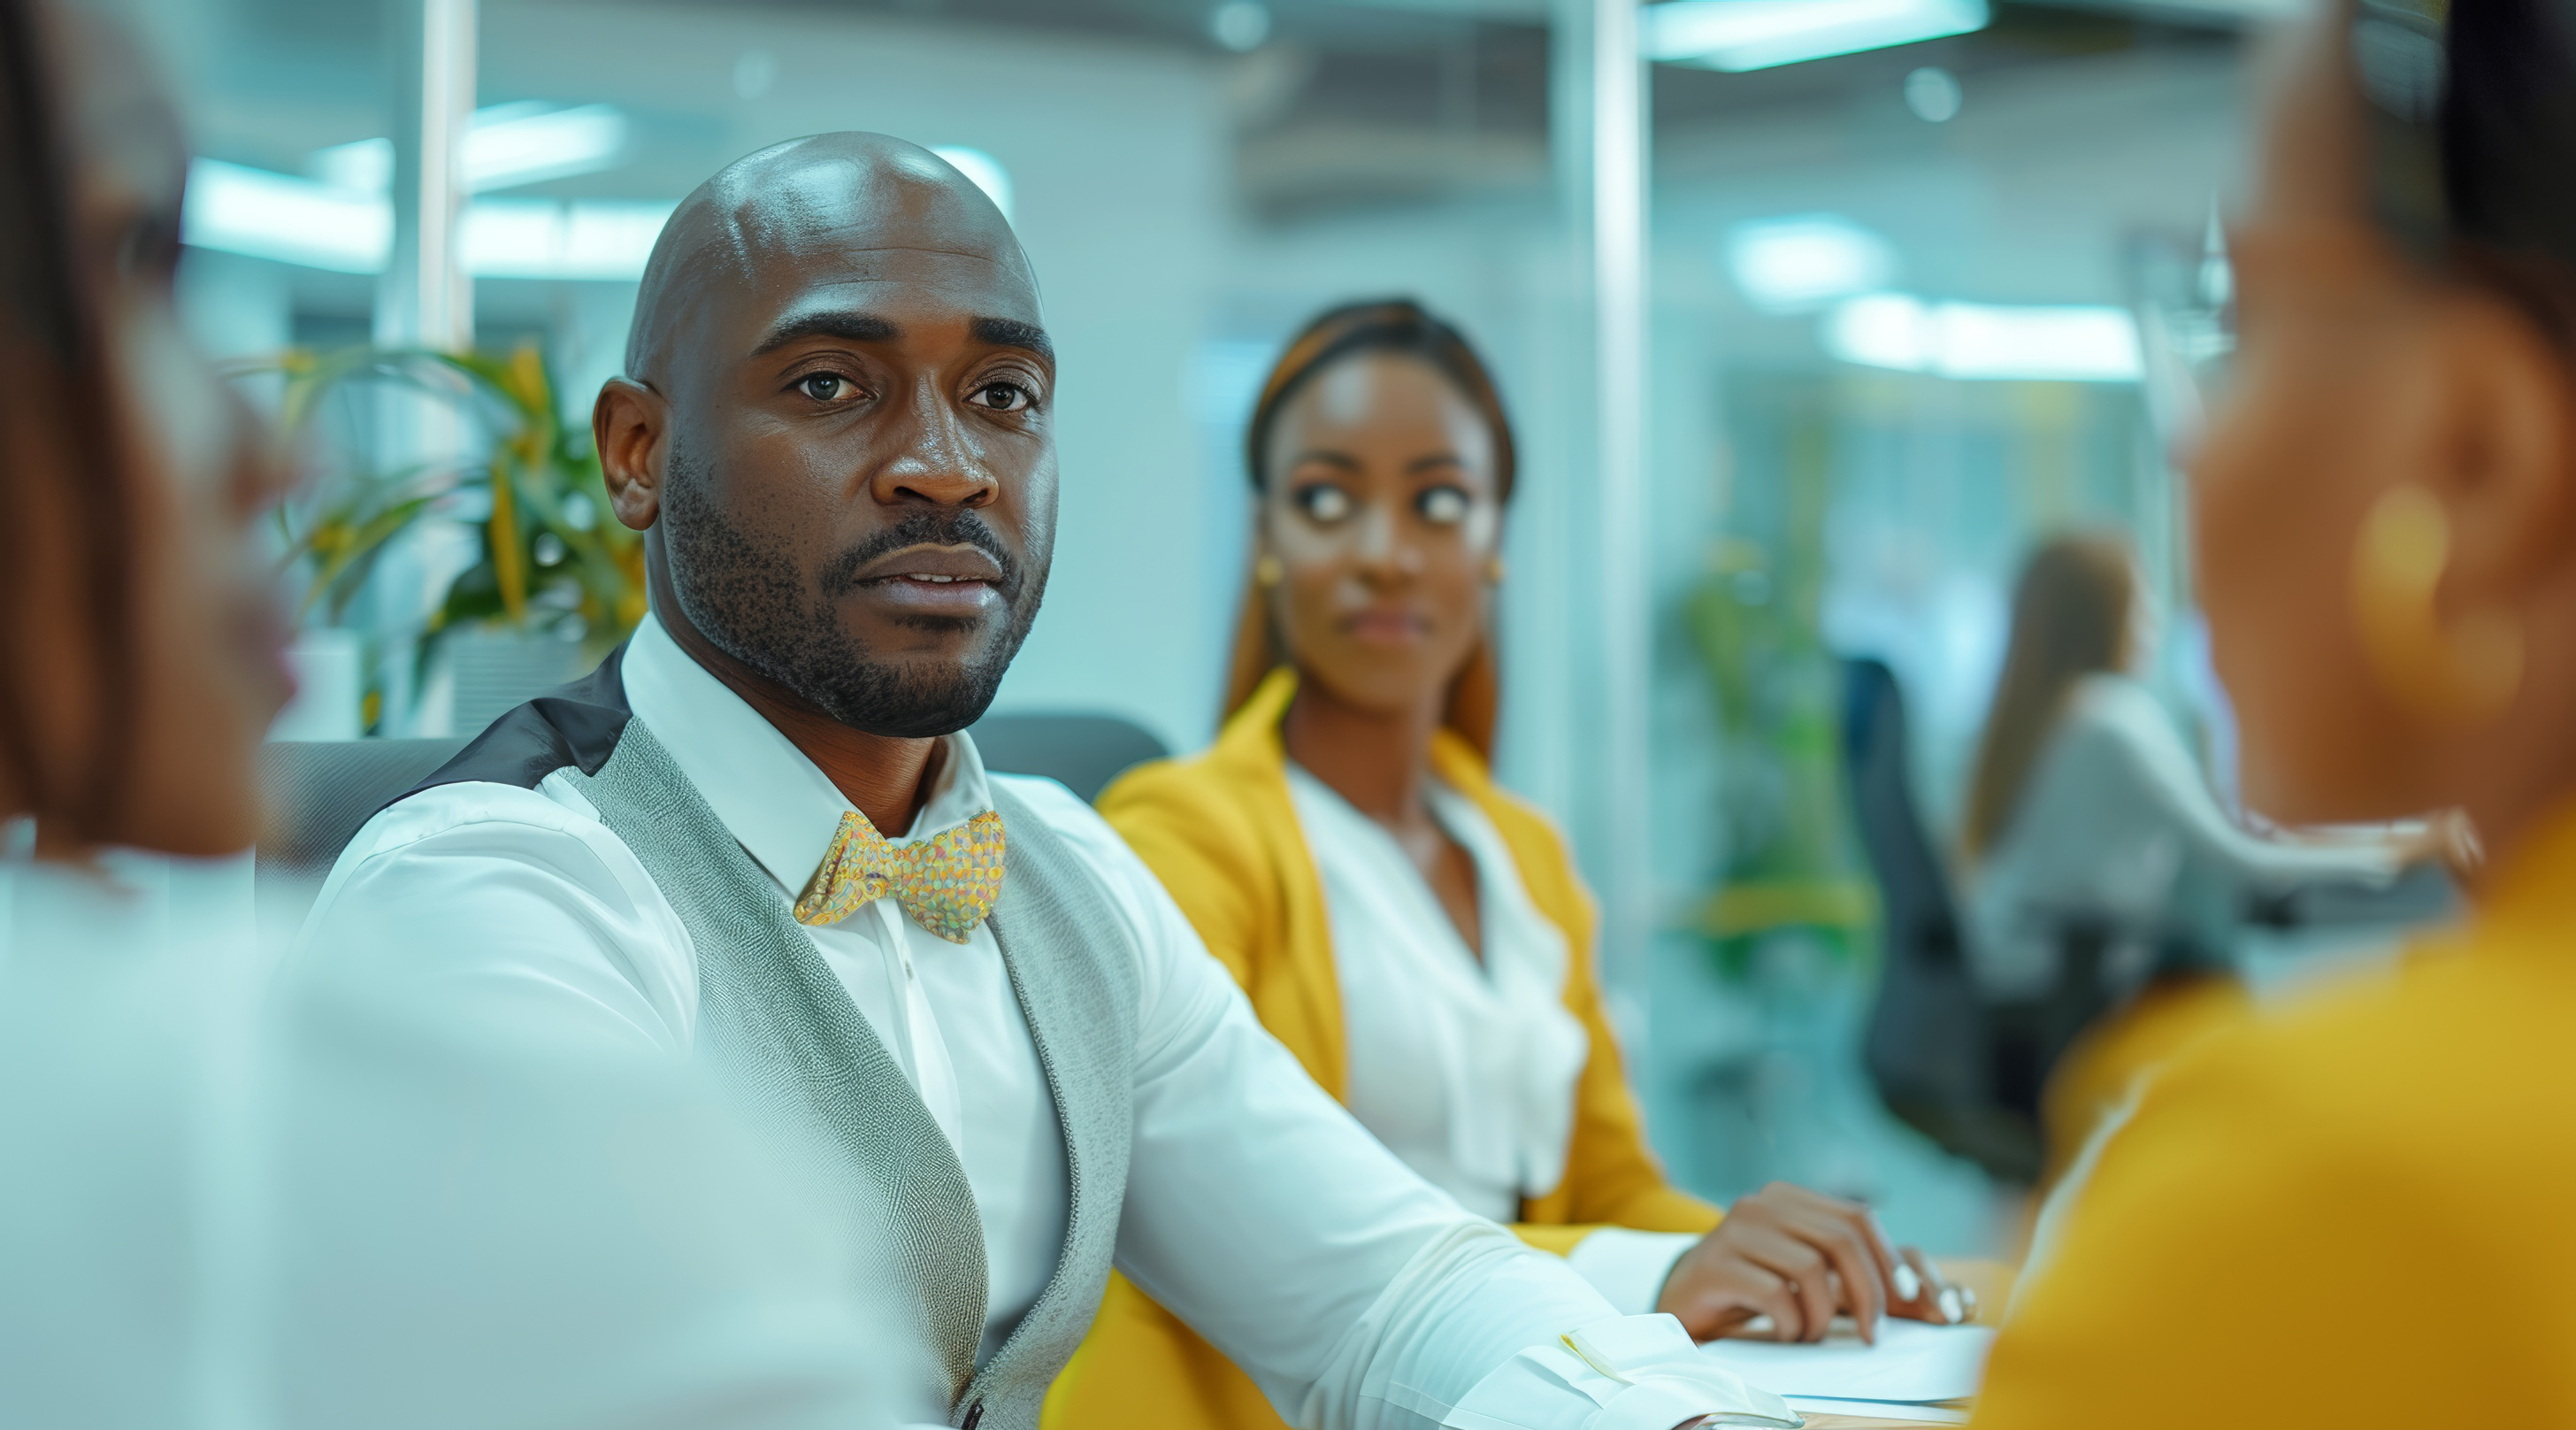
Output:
x=2508 y=450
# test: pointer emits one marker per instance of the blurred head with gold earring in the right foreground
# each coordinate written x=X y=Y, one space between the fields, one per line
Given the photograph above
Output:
x=2387 y=511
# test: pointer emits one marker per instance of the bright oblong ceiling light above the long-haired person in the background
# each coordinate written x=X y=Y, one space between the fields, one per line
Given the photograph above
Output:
x=1985 y=341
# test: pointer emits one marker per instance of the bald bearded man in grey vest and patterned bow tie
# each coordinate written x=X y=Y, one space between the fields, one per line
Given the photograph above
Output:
x=761 y=836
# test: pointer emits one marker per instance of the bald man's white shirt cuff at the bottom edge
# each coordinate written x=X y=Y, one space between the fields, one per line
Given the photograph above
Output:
x=1619 y=1375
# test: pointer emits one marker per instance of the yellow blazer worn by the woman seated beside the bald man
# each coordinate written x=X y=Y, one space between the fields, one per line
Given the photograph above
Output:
x=1225 y=839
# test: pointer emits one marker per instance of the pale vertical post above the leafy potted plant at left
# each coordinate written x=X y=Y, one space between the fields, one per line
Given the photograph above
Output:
x=426 y=300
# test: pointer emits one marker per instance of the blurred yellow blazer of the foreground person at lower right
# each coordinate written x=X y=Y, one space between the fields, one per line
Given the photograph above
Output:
x=2351 y=1212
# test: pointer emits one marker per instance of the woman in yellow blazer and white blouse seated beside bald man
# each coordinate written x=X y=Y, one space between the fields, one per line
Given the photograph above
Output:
x=1408 y=929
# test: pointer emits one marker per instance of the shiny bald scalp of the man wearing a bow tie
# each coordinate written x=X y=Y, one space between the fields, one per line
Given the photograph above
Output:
x=826 y=197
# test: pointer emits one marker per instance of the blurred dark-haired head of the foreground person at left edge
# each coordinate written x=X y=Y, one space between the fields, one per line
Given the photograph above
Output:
x=140 y=640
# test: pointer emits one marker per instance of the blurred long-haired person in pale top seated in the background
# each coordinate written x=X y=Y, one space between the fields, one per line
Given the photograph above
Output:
x=2090 y=821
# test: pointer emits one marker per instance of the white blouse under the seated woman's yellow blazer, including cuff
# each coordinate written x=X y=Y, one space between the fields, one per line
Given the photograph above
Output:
x=1462 y=1063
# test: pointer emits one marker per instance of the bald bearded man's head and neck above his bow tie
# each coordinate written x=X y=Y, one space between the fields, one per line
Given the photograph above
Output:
x=836 y=432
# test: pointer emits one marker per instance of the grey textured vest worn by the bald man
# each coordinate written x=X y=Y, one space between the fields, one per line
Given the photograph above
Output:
x=777 y=1019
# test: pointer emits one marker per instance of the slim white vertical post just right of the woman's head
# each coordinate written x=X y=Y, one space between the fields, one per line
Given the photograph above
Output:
x=1619 y=439
